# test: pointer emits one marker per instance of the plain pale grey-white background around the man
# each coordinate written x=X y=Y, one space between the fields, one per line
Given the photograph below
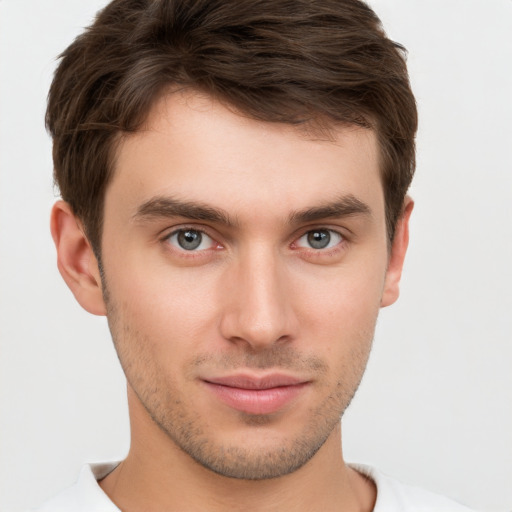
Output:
x=435 y=406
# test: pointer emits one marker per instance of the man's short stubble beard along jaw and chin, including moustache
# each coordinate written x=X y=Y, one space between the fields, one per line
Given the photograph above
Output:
x=188 y=431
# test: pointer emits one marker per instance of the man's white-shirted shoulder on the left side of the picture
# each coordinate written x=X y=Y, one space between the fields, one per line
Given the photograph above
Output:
x=85 y=495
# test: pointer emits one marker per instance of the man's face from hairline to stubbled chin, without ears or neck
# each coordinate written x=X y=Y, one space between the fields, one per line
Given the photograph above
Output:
x=244 y=267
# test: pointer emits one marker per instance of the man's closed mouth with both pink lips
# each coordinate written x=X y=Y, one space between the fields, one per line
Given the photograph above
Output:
x=257 y=394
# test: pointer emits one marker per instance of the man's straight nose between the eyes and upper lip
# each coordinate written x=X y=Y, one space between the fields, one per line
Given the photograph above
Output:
x=257 y=302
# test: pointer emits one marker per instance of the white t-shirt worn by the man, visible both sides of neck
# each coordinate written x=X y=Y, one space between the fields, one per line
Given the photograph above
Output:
x=392 y=496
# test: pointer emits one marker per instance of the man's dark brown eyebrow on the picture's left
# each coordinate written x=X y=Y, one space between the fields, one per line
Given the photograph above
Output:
x=166 y=207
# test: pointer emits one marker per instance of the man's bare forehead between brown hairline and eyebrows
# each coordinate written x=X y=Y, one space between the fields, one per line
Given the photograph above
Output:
x=199 y=149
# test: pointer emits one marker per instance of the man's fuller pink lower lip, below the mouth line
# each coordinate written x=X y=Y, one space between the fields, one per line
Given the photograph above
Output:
x=256 y=401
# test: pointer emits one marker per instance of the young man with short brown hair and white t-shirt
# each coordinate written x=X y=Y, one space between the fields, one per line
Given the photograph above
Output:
x=234 y=178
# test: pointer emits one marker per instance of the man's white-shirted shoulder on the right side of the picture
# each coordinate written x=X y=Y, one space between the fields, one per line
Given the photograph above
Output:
x=395 y=496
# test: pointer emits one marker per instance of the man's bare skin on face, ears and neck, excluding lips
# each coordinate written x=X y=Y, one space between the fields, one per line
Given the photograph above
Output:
x=254 y=297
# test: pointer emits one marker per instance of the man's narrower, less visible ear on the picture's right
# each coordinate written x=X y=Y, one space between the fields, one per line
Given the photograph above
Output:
x=399 y=245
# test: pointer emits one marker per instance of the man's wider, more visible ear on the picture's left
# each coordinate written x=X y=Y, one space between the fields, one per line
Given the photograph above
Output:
x=75 y=259
